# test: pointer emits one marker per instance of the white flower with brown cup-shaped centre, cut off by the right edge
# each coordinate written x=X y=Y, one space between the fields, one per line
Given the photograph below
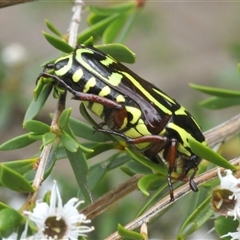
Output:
x=226 y=199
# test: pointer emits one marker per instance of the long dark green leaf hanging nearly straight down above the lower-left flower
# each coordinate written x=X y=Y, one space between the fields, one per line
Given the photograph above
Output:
x=80 y=169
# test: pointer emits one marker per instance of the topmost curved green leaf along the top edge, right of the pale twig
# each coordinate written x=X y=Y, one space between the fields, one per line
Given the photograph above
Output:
x=120 y=8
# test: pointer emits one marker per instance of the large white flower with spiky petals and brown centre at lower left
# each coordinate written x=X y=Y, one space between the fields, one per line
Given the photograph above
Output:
x=56 y=221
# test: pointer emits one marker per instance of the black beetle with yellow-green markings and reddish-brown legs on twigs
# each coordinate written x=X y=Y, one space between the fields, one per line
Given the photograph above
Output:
x=131 y=107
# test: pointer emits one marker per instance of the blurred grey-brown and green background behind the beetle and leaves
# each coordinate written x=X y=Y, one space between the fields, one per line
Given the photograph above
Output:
x=176 y=43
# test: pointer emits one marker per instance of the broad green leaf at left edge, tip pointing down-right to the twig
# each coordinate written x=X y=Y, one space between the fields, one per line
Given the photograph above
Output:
x=14 y=180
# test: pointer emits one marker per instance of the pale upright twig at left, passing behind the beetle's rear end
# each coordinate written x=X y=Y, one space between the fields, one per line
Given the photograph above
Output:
x=45 y=156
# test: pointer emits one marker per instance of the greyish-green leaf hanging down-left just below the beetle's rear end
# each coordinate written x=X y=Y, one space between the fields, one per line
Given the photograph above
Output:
x=35 y=106
